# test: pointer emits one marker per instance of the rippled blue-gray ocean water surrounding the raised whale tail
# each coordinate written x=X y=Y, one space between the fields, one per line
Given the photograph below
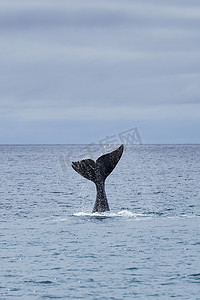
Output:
x=146 y=247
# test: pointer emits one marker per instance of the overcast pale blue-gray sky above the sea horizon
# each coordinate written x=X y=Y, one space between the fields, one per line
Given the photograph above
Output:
x=80 y=71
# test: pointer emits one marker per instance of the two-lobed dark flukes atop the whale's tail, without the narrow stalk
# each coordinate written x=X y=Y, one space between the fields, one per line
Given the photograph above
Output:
x=99 y=170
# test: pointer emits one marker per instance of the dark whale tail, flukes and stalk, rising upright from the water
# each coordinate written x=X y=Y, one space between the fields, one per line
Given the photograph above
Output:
x=97 y=171
